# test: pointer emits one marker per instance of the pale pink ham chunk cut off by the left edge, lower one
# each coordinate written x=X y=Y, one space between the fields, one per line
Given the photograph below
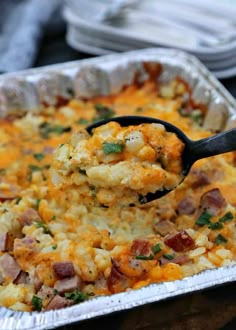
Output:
x=9 y=267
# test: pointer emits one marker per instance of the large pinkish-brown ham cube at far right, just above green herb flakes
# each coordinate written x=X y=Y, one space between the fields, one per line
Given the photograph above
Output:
x=212 y=202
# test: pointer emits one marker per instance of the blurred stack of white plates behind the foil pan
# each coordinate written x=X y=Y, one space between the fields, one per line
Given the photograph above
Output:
x=205 y=28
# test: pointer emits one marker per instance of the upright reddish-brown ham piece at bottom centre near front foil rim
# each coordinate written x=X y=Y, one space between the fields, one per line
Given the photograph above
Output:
x=117 y=282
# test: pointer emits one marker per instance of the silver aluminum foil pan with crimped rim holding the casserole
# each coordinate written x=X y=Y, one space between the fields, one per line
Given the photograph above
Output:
x=31 y=90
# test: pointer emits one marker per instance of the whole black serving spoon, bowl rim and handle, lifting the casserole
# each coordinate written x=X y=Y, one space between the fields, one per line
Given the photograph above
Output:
x=194 y=150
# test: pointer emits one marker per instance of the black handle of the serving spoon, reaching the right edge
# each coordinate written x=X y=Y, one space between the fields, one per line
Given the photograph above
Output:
x=214 y=145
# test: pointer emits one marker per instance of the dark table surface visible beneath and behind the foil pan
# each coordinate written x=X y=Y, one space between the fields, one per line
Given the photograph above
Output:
x=208 y=310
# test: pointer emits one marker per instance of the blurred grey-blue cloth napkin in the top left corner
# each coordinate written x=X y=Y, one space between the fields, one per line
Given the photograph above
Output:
x=22 y=25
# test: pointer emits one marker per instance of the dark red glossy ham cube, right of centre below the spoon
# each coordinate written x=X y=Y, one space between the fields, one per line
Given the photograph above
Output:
x=180 y=241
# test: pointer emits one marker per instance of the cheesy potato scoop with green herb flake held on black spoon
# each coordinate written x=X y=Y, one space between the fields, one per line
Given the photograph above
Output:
x=123 y=164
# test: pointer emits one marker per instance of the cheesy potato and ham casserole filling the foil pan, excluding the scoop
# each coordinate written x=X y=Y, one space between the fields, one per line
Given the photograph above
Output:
x=56 y=250
